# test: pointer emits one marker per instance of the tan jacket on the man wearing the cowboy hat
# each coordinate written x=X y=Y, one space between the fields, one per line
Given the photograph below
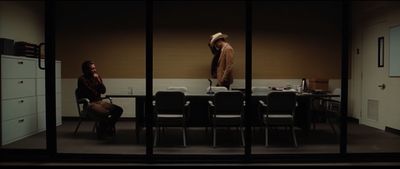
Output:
x=225 y=65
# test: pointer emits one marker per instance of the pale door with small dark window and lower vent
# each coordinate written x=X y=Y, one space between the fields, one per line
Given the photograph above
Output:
x=374 y=78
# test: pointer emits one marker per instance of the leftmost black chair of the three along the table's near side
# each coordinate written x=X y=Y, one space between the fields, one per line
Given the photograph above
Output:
x=170 y=108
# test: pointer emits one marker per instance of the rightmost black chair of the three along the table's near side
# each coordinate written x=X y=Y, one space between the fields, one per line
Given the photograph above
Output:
x=278 y=110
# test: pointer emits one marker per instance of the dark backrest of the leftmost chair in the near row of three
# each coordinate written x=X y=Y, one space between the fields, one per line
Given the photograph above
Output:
x=170 y=102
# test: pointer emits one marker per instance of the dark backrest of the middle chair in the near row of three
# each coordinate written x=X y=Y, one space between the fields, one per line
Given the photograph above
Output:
x=228 y=102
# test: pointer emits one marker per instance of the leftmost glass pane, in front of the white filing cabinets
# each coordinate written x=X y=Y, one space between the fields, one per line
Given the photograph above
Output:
x=22 y=82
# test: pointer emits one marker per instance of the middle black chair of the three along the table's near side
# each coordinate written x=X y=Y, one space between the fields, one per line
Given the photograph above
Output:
x=227 y=107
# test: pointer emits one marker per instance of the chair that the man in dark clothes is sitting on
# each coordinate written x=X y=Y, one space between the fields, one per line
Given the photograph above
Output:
x=82 y=105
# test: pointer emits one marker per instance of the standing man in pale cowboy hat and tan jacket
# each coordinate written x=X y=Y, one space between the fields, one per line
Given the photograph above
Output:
x=224 y=68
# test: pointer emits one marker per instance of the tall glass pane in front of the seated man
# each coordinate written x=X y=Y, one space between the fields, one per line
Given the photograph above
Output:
x=112 y=35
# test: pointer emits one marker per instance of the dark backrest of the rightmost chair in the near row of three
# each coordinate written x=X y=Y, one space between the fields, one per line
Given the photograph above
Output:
x=281 y=102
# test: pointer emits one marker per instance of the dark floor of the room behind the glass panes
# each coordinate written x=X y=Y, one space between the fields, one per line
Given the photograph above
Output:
x=362 y=139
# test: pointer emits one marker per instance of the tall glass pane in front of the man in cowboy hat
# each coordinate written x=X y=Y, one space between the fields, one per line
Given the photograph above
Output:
x=183 y=59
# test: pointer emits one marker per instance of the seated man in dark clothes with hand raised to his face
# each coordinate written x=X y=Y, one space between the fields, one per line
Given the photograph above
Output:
x=90 y=85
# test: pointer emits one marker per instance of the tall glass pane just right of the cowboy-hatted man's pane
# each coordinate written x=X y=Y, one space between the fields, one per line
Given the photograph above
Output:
x=293 y=41
